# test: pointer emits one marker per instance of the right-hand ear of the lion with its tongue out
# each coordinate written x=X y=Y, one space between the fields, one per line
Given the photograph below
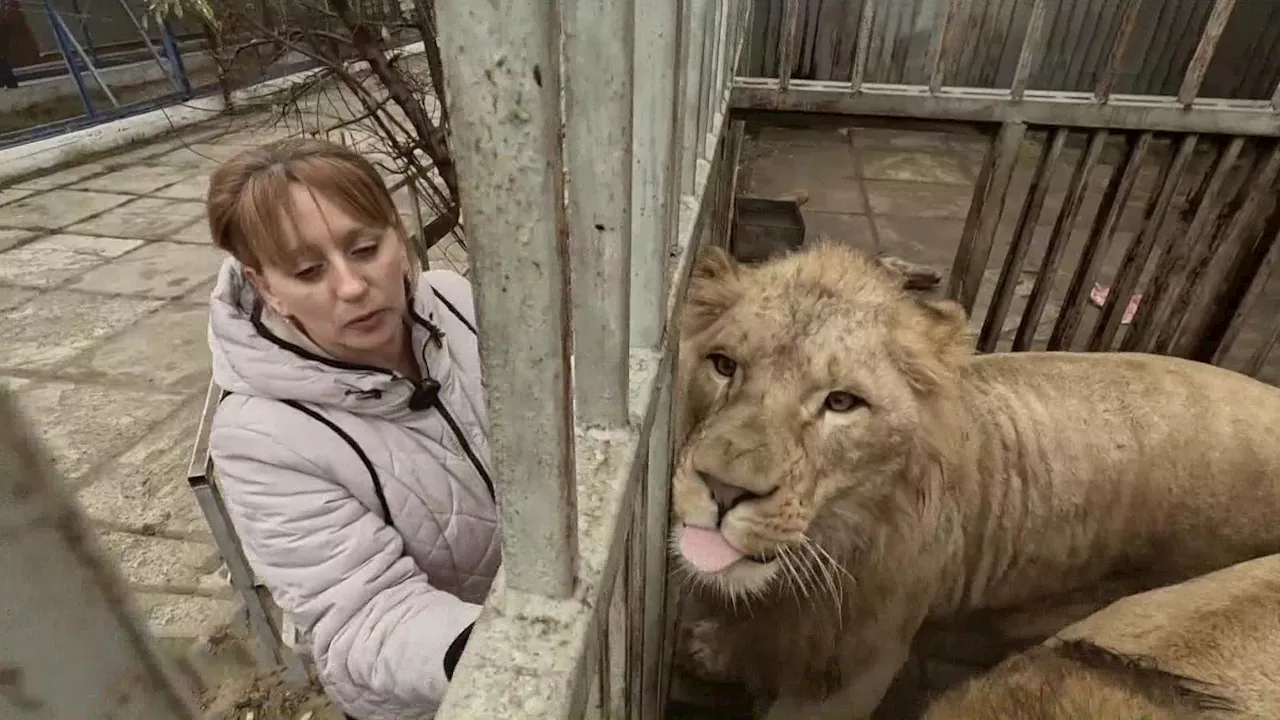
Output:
x=935 y=343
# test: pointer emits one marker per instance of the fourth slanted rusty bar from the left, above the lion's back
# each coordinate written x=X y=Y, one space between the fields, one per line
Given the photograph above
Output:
x=1100 y=239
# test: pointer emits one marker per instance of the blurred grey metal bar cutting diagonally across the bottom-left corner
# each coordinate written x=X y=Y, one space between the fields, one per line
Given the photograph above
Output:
x=74 y=645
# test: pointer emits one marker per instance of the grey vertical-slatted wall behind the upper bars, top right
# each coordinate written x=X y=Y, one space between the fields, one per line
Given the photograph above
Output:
x=1080 y=37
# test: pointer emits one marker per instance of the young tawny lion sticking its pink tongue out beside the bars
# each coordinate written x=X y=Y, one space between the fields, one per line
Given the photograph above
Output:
x=851 y=471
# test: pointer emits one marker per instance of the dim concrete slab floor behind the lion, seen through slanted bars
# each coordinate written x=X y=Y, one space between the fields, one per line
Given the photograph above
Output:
x=908 y=194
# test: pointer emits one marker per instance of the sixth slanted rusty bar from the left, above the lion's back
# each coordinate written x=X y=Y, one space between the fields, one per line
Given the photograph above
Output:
x=1171 y=276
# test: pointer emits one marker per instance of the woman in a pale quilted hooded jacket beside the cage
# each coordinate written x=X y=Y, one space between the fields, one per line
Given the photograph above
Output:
x=351 y=445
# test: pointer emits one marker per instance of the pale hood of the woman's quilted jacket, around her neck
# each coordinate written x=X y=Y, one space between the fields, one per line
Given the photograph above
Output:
x=258 y=353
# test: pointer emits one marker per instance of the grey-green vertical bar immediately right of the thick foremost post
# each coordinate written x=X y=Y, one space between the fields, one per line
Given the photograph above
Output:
x=598 y=62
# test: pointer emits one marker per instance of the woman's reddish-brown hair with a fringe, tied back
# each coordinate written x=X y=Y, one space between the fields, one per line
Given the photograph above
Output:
x=249 y=200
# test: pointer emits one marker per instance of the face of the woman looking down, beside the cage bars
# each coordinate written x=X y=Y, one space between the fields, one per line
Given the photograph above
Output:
x=346 y=288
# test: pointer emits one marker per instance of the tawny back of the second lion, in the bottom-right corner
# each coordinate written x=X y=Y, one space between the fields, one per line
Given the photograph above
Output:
x=1204 y=649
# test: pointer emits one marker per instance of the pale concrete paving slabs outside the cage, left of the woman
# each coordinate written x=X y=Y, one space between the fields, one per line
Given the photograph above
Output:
x=104 y=321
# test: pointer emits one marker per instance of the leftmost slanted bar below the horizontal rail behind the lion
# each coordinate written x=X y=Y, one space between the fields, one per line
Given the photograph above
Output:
x=975 y=249
